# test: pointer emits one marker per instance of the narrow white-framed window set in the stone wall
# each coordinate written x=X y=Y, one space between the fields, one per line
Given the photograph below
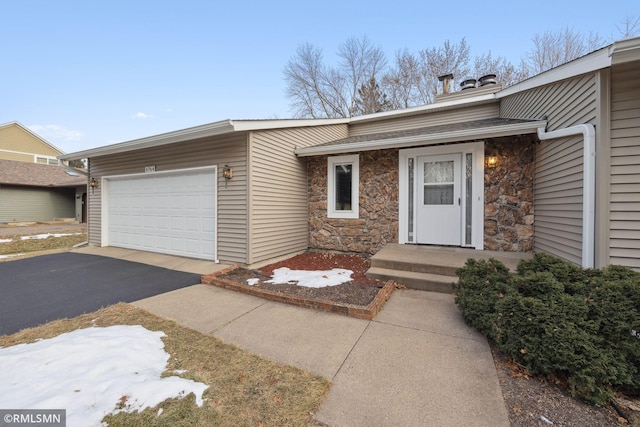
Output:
x=343 y=186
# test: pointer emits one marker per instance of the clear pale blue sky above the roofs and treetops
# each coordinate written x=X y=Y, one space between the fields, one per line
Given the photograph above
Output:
x=87 y=73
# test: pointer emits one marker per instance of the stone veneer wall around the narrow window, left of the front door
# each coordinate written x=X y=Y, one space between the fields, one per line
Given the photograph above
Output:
x=378 y=222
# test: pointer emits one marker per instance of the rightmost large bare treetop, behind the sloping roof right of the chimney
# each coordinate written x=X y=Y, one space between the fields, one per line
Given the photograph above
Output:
x=551 y=49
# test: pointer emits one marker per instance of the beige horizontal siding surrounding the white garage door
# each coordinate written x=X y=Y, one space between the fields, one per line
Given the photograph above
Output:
x=232 y=195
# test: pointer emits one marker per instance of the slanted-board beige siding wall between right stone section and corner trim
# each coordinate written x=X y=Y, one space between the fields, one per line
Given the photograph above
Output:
x=558 y=183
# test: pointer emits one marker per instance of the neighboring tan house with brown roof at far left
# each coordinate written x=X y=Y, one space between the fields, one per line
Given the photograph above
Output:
x=32 y=185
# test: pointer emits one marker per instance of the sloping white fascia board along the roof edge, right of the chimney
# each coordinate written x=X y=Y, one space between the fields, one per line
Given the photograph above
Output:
x=586 y=64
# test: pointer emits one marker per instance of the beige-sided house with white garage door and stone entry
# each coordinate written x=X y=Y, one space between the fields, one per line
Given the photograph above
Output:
x=549 y=165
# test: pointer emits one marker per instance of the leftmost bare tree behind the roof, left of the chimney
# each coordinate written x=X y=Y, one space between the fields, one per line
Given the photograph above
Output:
x=320 y=91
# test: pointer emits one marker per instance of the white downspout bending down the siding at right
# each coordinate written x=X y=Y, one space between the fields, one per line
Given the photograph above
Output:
x=588 y=184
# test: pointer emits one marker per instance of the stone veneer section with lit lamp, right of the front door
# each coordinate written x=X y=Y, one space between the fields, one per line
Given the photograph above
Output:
x=508 y=195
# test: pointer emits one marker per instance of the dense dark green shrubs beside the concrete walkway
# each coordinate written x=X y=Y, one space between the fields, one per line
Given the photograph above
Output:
x=558 y=319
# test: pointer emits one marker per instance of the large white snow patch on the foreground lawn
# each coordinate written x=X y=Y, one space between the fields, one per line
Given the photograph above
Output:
x=89 y=372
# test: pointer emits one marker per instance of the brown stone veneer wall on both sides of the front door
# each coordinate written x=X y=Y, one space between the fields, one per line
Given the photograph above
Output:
x=508 y=192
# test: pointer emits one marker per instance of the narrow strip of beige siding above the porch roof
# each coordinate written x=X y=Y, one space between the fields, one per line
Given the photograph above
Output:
x=477 y=112
